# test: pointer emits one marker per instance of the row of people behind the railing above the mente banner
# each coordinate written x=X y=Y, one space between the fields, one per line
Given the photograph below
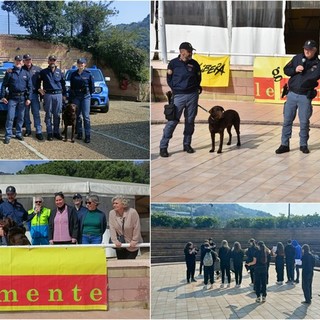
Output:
x=75 y=224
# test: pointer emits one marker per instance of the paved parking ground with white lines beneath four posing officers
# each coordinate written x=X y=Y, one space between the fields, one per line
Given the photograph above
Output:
x=122 y=133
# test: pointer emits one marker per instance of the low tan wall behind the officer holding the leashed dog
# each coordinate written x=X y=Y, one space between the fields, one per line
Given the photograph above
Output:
x=241 y=86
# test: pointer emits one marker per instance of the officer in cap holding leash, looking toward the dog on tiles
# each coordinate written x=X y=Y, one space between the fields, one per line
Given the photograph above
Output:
x=184 y=78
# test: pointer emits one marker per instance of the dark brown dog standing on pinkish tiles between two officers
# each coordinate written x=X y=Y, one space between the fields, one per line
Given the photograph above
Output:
x=219 y=120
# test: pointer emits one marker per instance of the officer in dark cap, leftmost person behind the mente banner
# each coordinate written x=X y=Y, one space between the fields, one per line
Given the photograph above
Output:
x=12 y=208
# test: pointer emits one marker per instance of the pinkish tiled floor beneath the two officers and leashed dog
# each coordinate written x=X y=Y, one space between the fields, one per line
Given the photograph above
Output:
x=251 y=173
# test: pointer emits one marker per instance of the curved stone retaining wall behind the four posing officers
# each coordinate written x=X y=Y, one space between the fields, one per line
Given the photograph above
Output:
x=10 y=46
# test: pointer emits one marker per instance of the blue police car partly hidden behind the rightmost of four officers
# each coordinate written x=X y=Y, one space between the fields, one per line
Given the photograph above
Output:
x=100 y=97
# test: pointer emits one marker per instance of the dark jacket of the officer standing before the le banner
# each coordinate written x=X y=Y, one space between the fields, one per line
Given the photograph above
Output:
x=302 y=82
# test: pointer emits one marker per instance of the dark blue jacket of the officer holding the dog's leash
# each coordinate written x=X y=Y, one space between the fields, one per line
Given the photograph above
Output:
x=185 y=77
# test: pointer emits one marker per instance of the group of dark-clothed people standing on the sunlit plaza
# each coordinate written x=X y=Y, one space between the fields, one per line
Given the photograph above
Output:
x=256 y=259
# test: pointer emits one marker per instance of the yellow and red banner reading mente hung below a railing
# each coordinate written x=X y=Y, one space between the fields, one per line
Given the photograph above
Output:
x=53 y=278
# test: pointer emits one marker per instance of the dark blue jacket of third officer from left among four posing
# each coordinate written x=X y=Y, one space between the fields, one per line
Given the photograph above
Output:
x=52 y=80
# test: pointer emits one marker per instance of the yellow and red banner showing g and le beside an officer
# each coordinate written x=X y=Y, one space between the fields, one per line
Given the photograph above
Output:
x=269 y=79
